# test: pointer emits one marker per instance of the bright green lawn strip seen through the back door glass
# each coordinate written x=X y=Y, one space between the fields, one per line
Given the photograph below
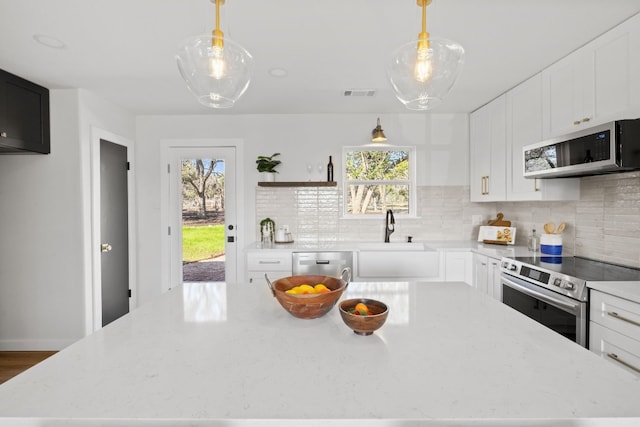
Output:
x=202 y=242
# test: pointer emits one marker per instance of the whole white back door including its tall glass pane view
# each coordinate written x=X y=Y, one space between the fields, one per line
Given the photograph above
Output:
x=202 y=213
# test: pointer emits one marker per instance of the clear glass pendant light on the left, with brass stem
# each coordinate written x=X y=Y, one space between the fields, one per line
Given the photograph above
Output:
x=217 y=70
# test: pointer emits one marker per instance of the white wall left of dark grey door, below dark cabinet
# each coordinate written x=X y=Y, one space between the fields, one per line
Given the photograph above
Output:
x=44 y=224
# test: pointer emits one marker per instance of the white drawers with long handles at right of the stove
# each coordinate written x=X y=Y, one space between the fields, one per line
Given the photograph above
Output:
x=614 y=330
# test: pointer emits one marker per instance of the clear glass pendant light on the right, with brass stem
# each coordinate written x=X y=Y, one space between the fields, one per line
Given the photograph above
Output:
x=422 y=72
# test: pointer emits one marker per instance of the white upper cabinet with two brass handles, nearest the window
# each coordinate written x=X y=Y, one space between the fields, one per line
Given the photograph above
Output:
x=487 y=134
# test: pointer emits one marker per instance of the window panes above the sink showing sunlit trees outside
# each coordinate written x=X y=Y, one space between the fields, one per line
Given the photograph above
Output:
x=379 y=178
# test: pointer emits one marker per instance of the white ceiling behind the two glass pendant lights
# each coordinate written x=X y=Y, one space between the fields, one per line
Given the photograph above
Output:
x=123 y=50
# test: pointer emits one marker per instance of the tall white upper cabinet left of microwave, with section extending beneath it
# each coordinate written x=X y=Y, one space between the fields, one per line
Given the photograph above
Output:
x=524 y=126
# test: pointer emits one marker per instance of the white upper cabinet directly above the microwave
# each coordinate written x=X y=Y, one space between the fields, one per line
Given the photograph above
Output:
x=595 y=84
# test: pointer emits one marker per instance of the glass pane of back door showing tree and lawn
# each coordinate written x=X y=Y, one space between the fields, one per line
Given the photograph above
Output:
x=203 y=219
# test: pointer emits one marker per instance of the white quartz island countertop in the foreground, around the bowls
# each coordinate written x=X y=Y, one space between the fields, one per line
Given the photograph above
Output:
x=229 y=355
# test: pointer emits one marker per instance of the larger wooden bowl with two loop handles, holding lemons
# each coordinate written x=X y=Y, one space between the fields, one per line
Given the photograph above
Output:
x=309 y=306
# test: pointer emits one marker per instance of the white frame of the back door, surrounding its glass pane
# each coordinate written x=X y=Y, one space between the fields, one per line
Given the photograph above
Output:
x=175 y=157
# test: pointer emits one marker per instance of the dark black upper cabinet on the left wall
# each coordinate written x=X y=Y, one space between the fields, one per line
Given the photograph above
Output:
x=24 y=116
